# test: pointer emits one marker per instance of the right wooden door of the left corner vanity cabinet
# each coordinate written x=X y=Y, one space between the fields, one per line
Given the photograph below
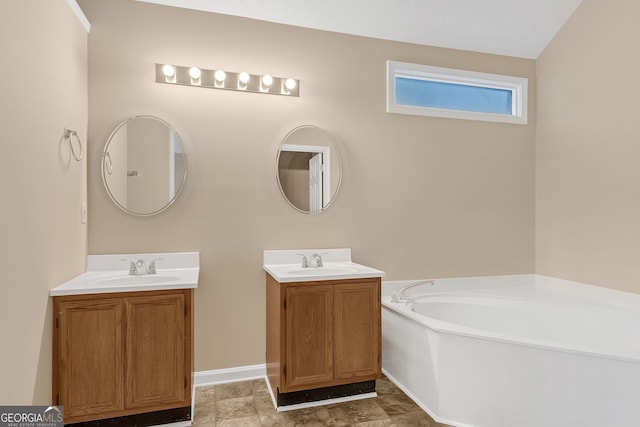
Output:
x=155 y=376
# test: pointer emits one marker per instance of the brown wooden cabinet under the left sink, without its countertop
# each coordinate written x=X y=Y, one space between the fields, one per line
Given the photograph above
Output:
x=121 y=354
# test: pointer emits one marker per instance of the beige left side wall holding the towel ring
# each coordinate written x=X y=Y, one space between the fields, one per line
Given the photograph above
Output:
x=44 y=90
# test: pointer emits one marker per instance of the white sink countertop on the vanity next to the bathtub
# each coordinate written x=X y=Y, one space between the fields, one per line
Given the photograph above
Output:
x=286 y=266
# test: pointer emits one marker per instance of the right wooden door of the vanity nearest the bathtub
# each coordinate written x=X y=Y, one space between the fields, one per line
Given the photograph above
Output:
x=357 y=331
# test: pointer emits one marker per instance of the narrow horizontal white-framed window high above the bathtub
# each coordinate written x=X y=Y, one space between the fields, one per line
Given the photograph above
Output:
x=445 y=92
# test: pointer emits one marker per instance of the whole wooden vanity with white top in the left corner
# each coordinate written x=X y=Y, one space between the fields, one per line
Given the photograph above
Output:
x=123 y=343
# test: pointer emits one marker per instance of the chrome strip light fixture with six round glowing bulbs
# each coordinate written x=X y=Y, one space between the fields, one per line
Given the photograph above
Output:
x=220 y=79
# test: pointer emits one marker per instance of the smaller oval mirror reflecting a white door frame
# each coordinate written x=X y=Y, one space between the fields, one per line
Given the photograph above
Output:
x=308 y=169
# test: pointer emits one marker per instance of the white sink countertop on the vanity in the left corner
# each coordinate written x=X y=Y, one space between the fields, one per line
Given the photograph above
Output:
x=109 y=273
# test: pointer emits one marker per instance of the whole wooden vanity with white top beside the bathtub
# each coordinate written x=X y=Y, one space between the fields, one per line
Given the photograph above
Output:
x=323 y=327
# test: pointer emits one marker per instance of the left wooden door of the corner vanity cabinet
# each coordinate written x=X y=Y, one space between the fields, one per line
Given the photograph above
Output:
x=90 y=355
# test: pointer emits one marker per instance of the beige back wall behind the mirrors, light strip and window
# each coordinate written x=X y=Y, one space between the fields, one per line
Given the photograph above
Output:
x=421 y=197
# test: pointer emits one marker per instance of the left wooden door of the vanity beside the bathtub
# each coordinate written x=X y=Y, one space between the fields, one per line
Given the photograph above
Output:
x=309 y=337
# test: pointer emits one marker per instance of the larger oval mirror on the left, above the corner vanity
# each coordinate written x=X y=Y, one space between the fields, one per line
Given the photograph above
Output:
x=143 y=165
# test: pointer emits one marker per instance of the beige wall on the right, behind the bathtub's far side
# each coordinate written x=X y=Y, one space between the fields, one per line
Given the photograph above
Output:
x=588 y=148
